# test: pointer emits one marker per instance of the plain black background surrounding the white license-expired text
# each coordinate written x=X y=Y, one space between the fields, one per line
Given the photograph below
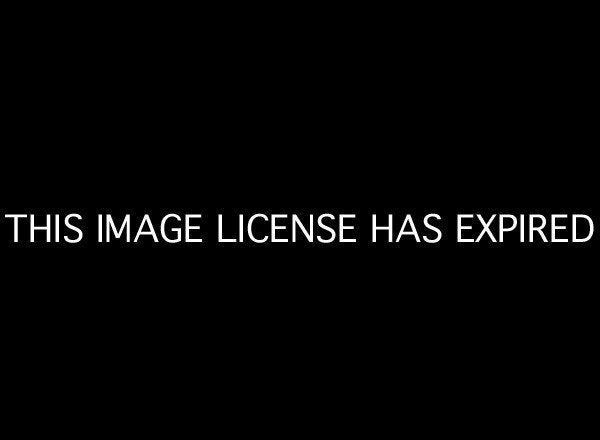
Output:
x=368 y=113
